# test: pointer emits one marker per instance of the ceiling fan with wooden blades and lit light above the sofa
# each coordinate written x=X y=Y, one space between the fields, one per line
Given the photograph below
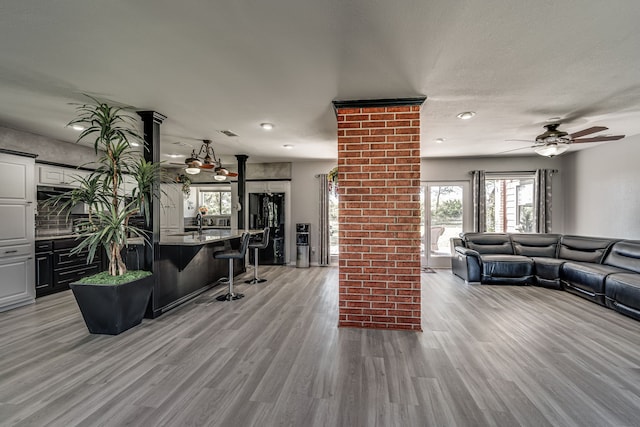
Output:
x=553 y=141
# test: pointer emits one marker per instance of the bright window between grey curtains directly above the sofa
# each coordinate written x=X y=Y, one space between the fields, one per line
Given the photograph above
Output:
x=509 y=203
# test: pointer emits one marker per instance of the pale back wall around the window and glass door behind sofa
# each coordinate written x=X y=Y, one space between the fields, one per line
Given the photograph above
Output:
x=457 y=169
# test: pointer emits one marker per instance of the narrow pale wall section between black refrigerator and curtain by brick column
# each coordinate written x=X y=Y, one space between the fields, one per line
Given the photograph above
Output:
x=305 y=201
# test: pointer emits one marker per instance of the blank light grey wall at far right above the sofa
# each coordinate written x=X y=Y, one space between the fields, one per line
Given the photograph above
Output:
x=602 y=190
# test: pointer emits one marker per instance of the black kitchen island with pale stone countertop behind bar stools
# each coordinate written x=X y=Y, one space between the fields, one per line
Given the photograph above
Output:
x=186 y=266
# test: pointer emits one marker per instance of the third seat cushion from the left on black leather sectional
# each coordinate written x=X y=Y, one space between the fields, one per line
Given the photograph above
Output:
x=587 y=279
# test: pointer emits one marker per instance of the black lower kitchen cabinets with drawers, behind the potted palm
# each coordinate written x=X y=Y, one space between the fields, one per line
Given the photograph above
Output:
x=57 y=266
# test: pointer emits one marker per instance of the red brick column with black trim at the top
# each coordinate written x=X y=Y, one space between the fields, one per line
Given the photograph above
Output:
x=379 y=213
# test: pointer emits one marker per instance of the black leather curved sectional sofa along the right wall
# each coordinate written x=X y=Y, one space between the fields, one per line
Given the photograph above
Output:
x=605 y=271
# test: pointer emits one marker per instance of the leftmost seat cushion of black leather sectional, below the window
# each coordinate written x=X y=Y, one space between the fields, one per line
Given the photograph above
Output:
x=496 y=268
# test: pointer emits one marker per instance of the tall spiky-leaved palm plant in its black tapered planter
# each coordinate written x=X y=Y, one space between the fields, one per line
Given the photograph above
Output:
x=114 y=300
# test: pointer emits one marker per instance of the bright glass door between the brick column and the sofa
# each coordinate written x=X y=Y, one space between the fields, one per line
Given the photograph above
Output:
x=446 y=215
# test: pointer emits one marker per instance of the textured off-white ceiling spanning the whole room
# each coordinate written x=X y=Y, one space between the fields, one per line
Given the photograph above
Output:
x=215 y=65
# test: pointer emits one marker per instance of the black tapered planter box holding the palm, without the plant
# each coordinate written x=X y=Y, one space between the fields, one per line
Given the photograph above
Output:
x=112 y=309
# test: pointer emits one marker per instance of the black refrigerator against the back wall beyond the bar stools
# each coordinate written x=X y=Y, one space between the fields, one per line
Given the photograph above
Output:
x=267 y=209
